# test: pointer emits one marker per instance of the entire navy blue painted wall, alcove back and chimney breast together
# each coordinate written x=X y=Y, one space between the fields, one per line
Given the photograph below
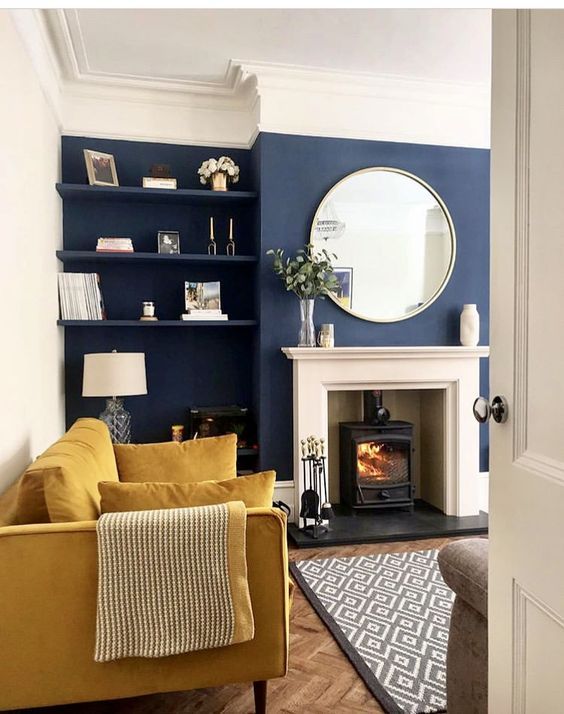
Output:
x=218 y=366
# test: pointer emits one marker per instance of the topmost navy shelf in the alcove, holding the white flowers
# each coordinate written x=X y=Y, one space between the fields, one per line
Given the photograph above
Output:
x=134 y=194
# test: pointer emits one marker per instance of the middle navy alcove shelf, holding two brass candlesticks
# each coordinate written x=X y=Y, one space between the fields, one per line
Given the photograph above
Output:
x=81 y=256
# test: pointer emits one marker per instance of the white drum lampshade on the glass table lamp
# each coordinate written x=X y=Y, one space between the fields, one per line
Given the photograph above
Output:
x=114 y=374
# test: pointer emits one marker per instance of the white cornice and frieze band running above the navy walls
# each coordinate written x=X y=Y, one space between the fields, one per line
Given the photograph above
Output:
x=252 y=97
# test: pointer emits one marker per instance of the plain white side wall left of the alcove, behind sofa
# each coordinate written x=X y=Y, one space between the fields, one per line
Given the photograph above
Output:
x=31 y=411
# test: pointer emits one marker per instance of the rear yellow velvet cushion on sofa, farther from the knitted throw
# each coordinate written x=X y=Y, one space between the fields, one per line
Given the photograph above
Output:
x=186 y=462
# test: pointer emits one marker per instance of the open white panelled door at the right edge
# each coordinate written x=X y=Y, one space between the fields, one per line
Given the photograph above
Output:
x=526 y=605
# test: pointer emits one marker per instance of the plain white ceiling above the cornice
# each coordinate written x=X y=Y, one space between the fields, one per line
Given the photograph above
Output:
x=197 y=45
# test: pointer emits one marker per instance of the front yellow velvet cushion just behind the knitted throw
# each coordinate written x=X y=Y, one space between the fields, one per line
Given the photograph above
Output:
x=256 y=491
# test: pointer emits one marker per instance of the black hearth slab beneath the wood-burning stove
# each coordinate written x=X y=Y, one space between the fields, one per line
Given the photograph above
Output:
x=382 y=526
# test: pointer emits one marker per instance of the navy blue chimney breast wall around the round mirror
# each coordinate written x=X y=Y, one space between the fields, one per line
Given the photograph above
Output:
x=295 y=174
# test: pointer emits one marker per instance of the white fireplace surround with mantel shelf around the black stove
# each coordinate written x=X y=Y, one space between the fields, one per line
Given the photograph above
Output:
x=455 y=370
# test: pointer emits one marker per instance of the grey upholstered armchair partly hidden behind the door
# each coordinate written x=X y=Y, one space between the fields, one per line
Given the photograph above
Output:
x=464 y=566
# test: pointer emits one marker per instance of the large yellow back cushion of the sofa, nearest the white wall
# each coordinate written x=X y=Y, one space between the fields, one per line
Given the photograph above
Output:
x=62 y=484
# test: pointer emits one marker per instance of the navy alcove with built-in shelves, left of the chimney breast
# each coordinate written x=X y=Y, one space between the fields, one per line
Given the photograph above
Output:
x=212 y=365
